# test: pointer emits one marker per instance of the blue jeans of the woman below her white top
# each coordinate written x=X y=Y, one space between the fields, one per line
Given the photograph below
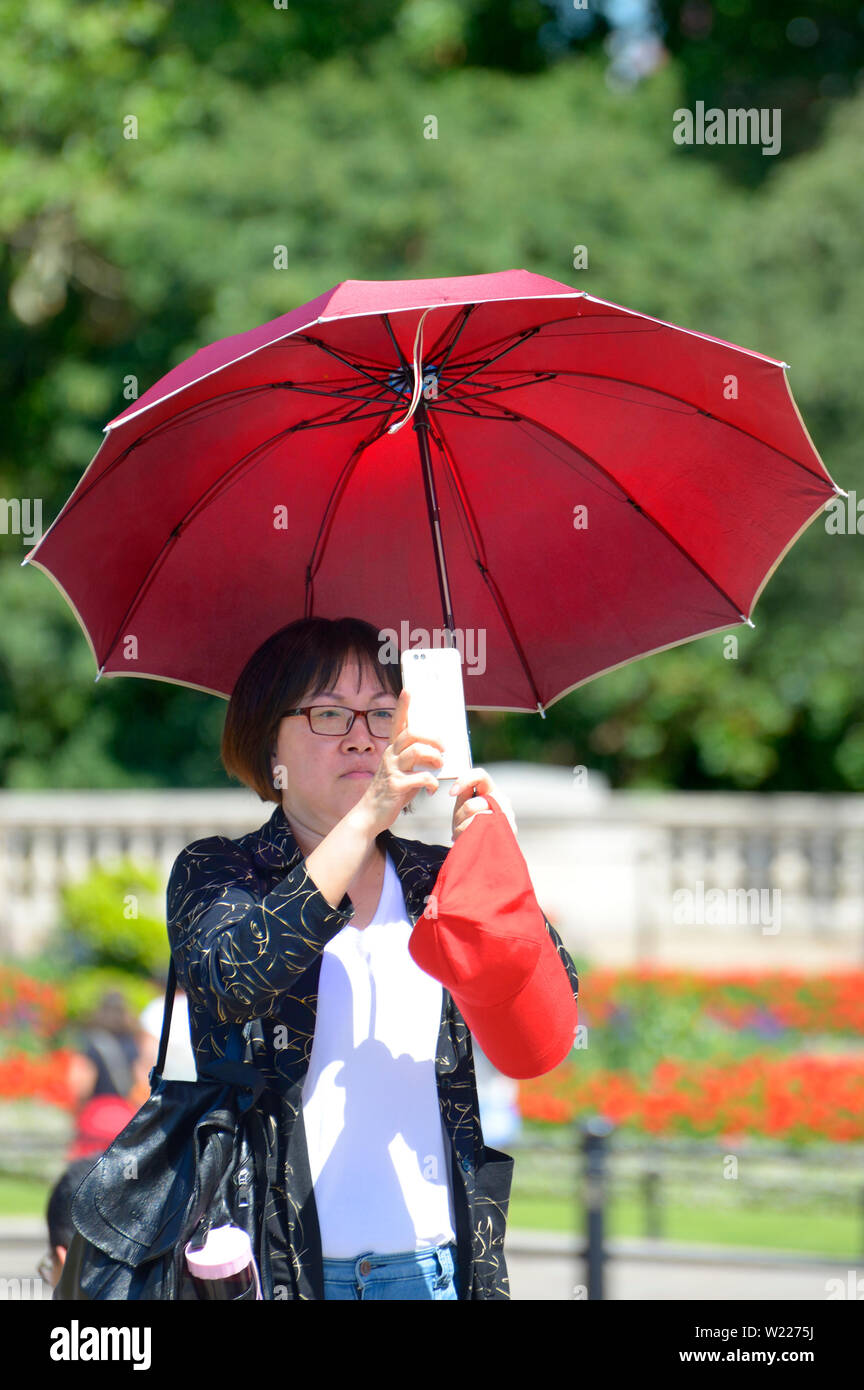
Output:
x=413 y=1274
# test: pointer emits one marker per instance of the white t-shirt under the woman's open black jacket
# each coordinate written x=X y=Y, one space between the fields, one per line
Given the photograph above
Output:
x=377 y=1145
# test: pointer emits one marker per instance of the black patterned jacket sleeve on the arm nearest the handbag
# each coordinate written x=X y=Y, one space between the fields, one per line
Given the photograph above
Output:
x=234 y=951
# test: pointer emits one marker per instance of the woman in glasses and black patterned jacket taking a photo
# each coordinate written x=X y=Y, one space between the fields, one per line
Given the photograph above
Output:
x=304 y=925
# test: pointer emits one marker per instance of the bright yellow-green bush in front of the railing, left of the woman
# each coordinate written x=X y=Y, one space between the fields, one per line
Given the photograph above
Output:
x=113 y=918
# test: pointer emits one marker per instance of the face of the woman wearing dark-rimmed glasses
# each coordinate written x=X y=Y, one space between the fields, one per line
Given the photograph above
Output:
x=324 y=776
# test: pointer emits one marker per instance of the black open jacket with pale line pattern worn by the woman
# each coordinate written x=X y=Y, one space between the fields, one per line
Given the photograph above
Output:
x=248 y=928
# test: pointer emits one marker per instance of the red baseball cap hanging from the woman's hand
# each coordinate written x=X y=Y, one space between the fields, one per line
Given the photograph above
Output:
x=484 y=936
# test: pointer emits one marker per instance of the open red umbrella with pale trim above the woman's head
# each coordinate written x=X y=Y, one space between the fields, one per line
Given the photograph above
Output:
x=562 y=483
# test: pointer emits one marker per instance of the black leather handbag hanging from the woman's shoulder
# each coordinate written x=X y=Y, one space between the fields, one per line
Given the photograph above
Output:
x=195 y=1156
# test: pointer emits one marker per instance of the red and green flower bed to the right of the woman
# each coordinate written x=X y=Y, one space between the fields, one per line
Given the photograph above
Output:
x=713 y=1054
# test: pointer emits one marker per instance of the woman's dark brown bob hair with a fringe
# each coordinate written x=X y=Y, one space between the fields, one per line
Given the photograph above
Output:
x=301 y=660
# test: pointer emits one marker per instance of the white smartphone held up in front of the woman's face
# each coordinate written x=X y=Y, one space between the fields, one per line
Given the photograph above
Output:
x=437 y=710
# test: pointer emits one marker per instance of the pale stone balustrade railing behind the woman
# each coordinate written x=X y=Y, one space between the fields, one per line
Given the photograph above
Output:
x=767 y=882
